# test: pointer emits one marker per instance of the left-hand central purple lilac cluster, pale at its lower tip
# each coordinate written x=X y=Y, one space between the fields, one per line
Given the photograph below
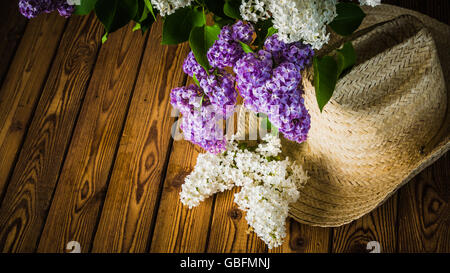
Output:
x=204 y=107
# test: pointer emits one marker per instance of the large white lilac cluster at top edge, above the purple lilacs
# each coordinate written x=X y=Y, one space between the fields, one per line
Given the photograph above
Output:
x=296 y=20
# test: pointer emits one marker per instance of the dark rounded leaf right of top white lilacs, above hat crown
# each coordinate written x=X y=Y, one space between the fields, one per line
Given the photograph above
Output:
x=348 y=19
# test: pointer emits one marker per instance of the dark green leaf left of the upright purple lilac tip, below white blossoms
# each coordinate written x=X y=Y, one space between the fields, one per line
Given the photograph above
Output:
x=178 y=25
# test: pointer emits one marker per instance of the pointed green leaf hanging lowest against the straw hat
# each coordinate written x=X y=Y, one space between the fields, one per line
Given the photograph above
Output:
x=325 y=77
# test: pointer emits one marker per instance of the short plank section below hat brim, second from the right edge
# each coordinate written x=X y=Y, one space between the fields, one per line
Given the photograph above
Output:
x=379 y=225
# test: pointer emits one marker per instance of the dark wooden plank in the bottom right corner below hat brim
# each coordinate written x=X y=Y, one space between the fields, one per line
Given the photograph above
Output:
x=424 y=210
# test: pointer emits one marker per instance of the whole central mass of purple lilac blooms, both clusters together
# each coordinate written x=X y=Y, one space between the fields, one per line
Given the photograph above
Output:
x=268 y=80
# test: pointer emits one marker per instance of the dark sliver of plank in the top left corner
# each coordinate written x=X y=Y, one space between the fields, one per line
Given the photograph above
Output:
x=12 y=27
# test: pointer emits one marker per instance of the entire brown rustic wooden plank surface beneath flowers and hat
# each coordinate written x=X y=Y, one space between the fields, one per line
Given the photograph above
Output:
x=86 y=154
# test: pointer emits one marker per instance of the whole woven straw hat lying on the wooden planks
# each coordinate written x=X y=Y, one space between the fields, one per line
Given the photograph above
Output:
x=386 y=121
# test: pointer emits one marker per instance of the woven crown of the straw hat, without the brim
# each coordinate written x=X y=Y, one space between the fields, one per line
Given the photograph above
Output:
x=383 y=112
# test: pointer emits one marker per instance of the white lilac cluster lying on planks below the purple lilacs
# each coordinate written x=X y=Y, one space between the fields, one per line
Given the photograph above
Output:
x=268 y=185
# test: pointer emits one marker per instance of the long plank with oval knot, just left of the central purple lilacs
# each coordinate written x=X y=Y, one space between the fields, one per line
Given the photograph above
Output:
x=128 y=213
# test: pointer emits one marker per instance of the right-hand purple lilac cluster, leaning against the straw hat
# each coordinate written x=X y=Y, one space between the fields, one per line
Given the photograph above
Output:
x=270 y=82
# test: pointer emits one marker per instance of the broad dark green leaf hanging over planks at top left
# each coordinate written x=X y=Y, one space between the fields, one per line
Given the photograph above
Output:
x=115 y=14
